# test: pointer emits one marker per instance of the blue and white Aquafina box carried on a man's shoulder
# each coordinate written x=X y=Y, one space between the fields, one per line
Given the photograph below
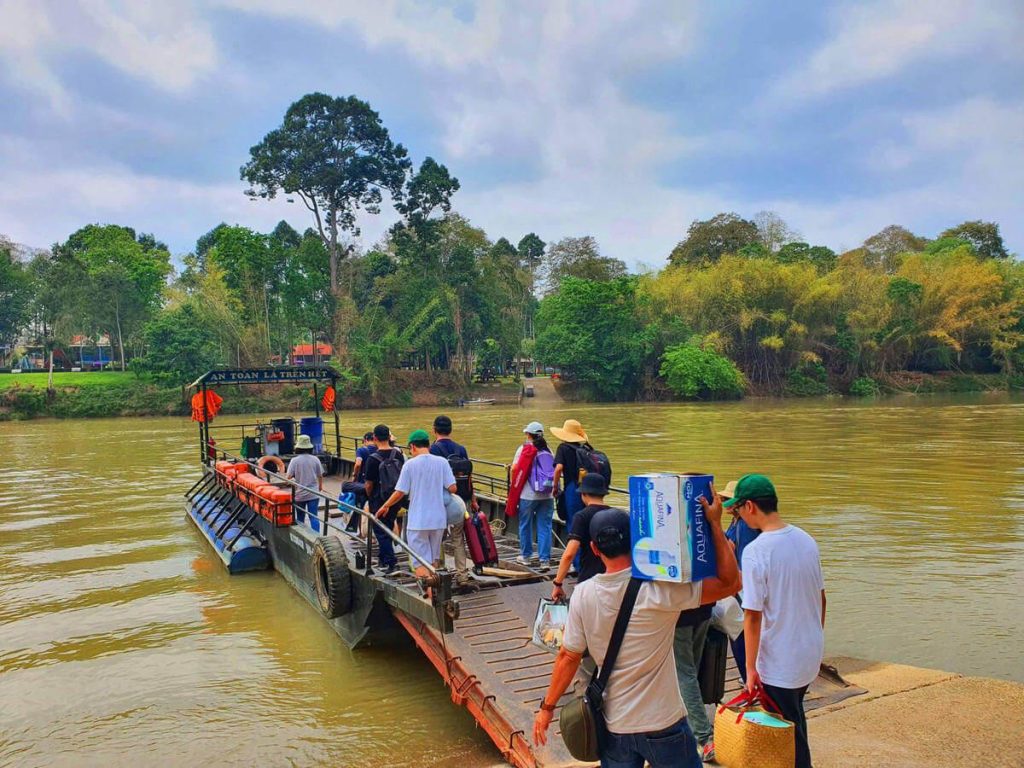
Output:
x=670 y=536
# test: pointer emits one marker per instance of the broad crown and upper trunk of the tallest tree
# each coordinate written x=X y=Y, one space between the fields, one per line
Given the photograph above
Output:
x=336 y=155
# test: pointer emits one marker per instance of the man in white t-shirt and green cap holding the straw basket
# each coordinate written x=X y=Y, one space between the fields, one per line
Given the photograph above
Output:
x=784 y=606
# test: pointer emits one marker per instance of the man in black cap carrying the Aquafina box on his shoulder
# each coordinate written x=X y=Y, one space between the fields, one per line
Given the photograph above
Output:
x=645 y=713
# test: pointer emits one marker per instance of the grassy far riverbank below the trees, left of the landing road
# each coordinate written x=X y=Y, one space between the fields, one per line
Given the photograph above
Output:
x=79 y=396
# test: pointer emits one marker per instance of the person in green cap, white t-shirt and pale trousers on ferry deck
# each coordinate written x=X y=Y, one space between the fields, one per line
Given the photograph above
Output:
x=424 y=479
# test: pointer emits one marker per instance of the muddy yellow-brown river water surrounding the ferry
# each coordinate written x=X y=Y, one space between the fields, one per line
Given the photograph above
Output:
x=123 y=642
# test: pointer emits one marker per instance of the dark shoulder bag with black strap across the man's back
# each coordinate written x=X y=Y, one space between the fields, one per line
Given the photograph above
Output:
x=582 y=720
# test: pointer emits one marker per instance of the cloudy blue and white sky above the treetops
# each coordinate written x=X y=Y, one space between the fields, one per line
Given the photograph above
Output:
x=624 y=120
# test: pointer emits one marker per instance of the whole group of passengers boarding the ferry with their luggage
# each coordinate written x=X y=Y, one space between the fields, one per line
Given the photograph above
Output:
x=654 y=708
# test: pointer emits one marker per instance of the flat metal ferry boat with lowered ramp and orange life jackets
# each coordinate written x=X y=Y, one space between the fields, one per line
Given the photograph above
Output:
x=481 y=643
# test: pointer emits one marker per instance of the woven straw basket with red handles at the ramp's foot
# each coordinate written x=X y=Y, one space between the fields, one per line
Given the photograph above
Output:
x=742 y=744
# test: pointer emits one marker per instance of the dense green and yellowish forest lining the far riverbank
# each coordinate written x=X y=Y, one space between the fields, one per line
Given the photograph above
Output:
x=743 y=306
